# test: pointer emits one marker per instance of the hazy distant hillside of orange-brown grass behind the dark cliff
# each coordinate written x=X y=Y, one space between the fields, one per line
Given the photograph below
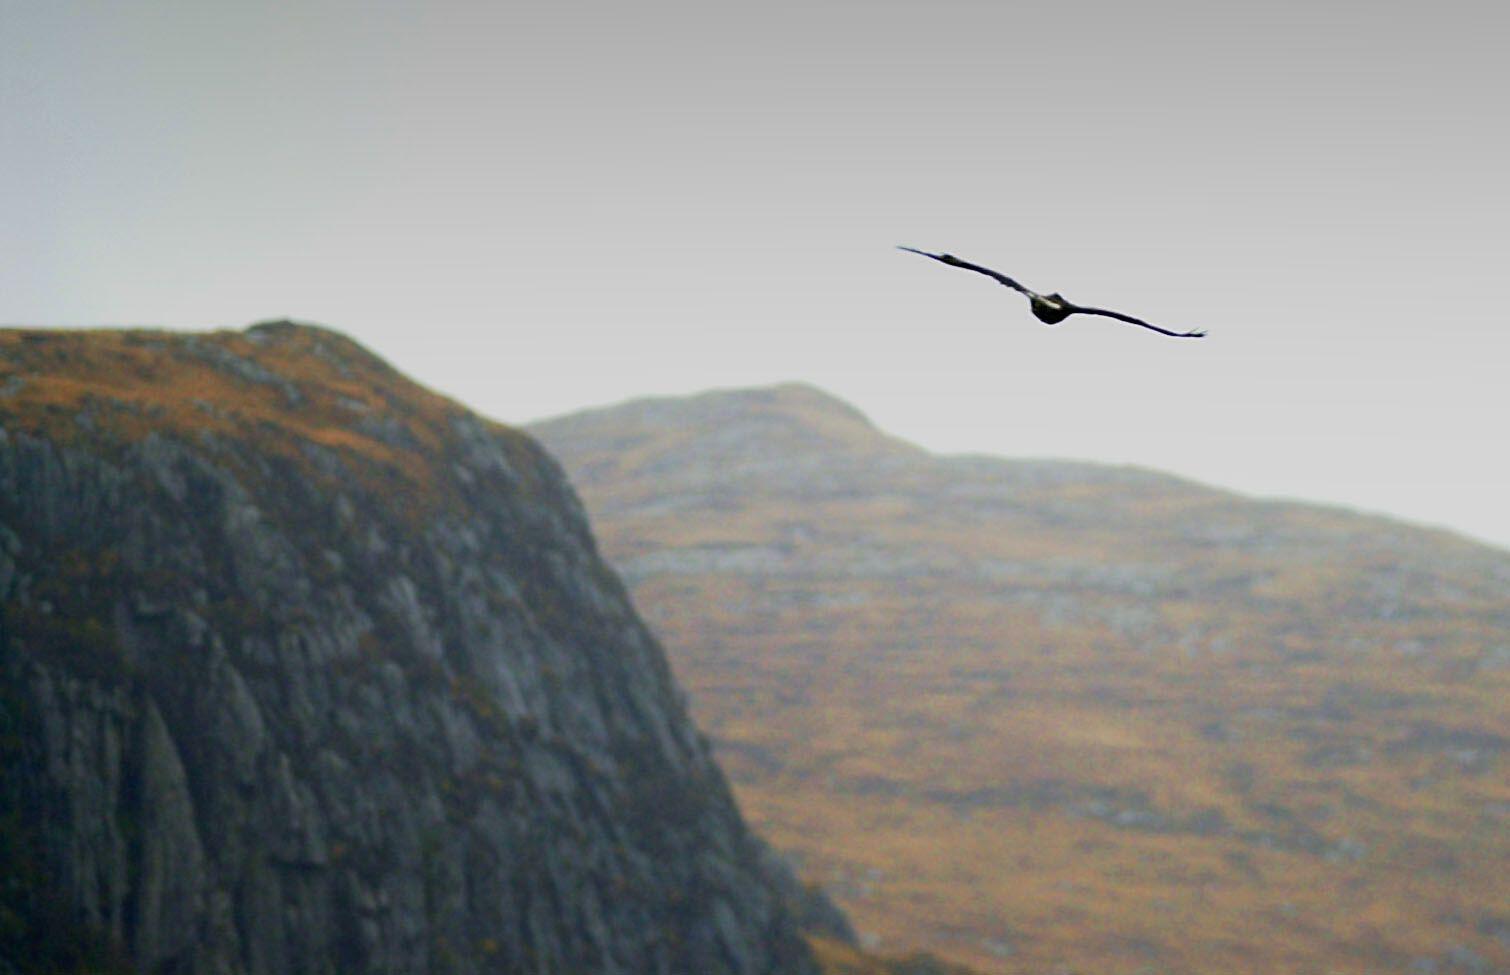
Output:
x=1044 y=716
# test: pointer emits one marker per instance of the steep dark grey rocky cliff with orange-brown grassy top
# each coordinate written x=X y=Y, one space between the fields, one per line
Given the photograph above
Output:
x=306 y=669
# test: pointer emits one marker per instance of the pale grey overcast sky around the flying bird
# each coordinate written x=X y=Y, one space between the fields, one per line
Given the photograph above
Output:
x=538 y=208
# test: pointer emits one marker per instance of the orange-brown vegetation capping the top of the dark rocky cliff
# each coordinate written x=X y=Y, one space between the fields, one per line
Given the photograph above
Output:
x=282 y=387
